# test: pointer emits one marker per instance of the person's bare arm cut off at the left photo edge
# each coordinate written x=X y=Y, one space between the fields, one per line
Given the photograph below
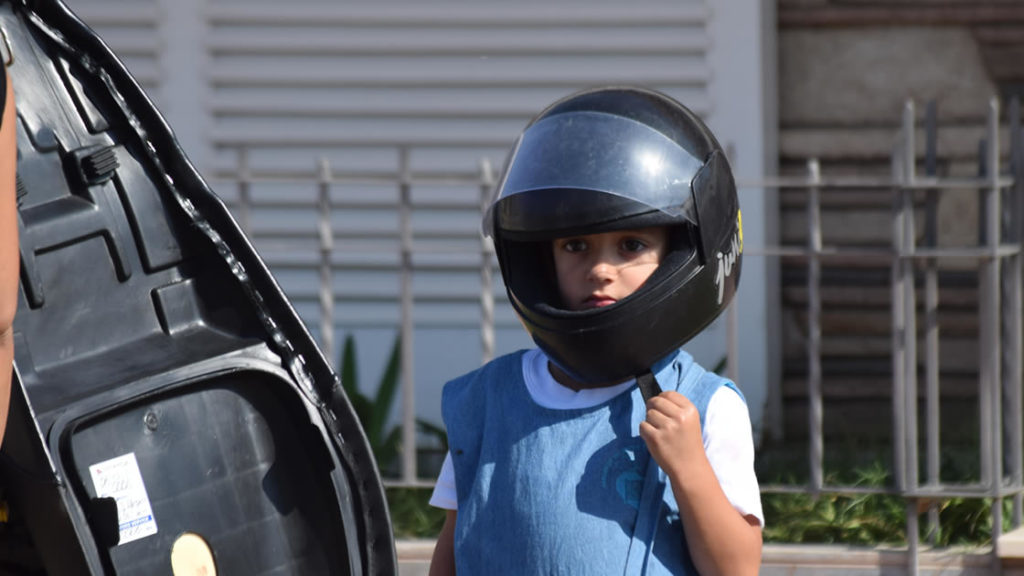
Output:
x=9 y=252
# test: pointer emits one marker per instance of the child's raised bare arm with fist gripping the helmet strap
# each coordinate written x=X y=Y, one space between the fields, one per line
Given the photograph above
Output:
x=721 y=542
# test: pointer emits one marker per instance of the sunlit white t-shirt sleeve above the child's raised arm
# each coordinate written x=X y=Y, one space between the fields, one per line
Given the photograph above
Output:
x=729 y=440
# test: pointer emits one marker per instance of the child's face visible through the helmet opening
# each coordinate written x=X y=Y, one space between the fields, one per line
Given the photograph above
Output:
x=600 y=270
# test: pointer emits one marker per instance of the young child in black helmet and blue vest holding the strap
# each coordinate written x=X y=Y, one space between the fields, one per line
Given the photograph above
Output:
x=609 y=450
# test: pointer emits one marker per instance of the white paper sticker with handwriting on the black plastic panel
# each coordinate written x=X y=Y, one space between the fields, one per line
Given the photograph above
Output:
x=120 y=479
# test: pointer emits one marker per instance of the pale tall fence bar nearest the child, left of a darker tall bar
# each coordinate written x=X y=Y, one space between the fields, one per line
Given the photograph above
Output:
x=910 y=368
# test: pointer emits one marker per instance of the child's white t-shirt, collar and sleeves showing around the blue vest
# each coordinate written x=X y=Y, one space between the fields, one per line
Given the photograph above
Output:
x=728 y=436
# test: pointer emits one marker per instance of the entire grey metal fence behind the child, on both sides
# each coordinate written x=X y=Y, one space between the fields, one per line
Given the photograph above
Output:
x=915 y=258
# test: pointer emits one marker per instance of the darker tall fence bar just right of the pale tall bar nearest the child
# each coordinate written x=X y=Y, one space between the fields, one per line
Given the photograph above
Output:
x=932 y=359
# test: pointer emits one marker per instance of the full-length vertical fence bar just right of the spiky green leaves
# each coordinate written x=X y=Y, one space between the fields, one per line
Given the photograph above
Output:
x=408 y=383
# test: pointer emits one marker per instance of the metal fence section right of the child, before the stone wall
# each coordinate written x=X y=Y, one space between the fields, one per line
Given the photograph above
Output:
x=915 y=262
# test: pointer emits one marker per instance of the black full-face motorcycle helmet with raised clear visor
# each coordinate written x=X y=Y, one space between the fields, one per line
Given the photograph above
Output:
x=612 y=159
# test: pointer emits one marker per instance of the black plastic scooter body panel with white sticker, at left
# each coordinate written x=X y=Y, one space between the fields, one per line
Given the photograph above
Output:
x=150 y=332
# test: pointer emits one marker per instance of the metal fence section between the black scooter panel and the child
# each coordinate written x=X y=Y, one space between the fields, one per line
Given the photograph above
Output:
x=323 y=249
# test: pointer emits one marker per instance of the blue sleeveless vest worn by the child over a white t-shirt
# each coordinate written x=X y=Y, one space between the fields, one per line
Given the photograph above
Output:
x=544 y=491
